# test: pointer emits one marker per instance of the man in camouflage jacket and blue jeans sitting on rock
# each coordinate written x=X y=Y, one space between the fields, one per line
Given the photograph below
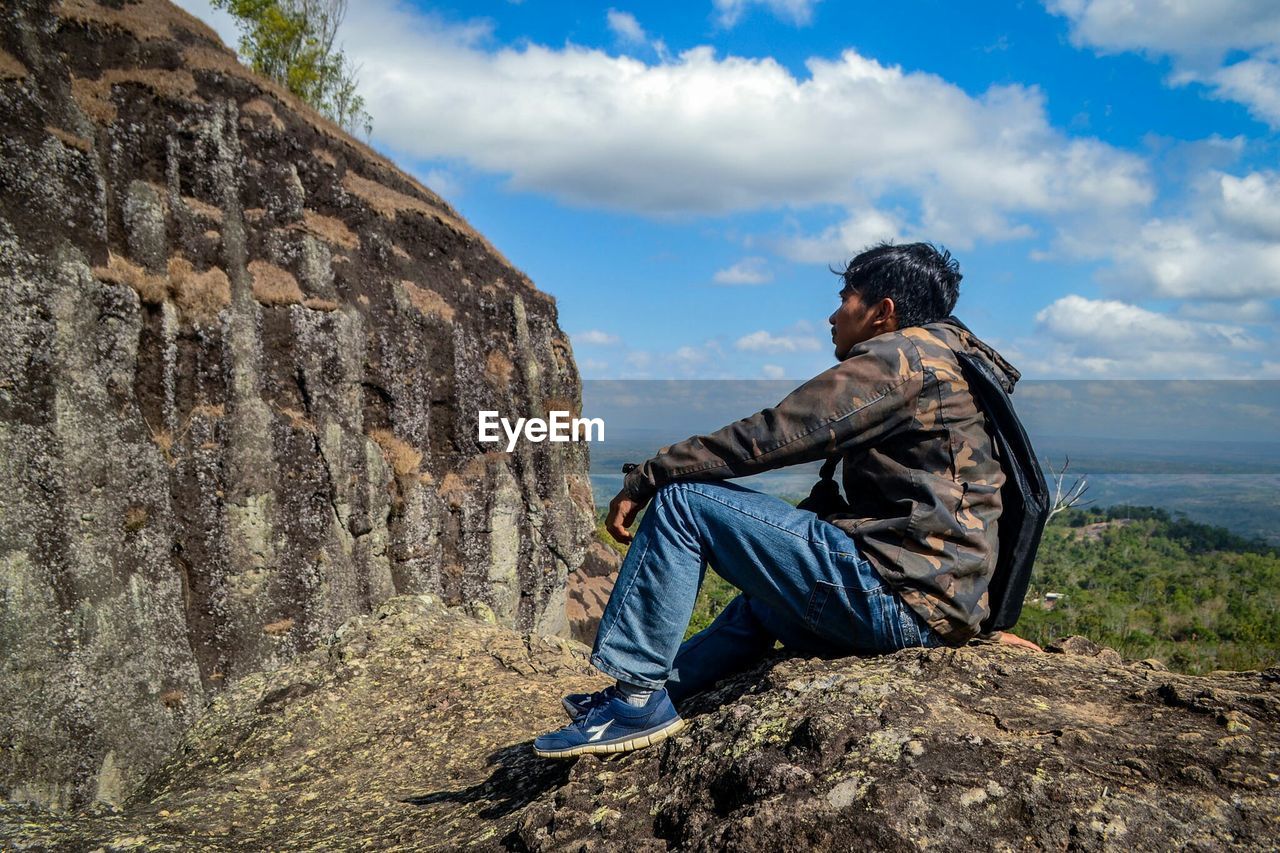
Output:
x=907 y=565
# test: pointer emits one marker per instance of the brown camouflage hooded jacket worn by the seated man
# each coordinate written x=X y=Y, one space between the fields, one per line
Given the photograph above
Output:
x=920 y=473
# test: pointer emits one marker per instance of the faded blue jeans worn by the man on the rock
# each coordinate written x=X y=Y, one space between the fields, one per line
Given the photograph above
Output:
x=803 y=582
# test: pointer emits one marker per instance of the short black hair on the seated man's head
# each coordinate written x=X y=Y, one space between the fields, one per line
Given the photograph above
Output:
x=922 y=281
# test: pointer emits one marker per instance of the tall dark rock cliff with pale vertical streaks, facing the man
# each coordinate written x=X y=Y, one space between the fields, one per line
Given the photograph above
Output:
x=241 y=361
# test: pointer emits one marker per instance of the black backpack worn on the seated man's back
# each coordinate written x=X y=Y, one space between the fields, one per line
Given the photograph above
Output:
x=1025 y=496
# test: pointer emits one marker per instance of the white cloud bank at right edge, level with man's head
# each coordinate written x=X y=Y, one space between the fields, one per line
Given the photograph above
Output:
x=1219 y=261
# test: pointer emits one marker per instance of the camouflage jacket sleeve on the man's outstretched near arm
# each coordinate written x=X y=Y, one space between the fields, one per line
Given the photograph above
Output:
x=868 y=396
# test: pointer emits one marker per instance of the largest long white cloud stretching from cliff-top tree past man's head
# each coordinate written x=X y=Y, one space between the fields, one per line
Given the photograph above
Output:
x=707 y=134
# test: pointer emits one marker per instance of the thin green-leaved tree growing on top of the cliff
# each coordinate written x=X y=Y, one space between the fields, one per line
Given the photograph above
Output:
x=294 y=43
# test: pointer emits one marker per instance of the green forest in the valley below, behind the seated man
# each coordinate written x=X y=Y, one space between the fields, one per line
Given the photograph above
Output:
x=1141 y=581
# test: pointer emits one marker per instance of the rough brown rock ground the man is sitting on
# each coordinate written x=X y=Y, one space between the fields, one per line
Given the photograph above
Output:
x=410 y=729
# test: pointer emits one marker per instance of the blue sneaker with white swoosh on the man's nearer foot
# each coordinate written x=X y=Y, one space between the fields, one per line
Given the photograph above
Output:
x=614 y=727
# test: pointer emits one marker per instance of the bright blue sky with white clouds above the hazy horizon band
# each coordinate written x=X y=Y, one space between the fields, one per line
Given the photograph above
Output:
x=680 y=176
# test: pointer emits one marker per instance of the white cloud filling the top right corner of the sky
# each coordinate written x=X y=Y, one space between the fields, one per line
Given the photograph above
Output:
x=1199 y=37
